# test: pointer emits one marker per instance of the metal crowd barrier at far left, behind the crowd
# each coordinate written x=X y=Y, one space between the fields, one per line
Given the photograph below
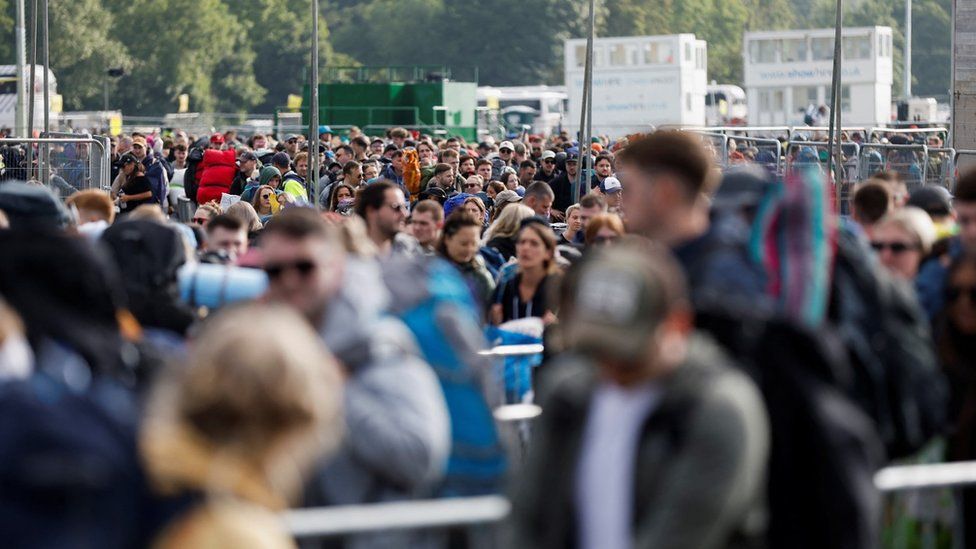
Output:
x=76 y=163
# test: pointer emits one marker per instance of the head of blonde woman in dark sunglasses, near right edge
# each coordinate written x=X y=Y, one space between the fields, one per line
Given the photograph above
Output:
x=902 y=239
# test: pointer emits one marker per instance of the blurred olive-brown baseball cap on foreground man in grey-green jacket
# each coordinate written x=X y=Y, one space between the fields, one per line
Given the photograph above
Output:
x=619 y=296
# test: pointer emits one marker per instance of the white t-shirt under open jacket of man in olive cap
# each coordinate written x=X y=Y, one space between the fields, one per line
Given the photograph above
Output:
x=605 y=473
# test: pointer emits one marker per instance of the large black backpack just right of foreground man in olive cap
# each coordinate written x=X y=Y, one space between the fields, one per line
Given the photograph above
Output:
x=824 y=448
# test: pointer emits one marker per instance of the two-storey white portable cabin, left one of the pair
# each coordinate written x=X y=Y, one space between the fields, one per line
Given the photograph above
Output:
x=639 y=82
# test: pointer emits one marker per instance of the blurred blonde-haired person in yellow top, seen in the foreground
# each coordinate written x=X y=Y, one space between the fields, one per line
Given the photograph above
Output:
x=241 y=424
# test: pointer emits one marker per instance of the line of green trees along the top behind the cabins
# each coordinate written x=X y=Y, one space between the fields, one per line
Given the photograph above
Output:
x=248 y=55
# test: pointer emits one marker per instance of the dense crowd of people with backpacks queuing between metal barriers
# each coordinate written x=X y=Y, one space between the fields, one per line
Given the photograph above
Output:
x=727 y=359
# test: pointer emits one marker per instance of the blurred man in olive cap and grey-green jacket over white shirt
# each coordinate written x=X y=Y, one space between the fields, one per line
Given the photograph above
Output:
x=648 y=438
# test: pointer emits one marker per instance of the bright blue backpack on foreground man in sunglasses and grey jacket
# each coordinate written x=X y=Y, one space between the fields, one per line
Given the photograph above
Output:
x=432 y=299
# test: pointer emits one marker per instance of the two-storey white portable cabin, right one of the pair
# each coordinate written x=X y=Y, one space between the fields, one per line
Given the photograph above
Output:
x=788 y=72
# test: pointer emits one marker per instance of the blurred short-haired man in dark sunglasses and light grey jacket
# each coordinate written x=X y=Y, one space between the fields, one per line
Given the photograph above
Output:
x=396 y=421
